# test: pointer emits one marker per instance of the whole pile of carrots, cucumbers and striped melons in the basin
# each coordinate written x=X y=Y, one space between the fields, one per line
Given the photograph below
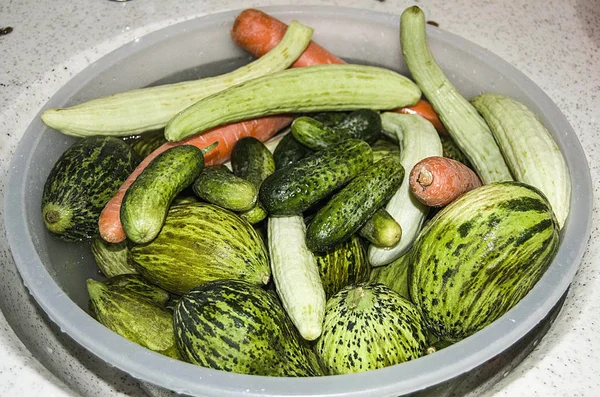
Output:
x=384 y=224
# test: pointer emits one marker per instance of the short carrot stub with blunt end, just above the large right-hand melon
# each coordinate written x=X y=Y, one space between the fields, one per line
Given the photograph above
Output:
x=436 y=181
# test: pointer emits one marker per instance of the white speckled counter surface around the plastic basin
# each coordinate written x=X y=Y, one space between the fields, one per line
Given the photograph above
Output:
x=555 y=43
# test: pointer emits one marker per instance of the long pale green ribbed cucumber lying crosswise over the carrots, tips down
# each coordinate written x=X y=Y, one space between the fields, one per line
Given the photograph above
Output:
x=297 y=90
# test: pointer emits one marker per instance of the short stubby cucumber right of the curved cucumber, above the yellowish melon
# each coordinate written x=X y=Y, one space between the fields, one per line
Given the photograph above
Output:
x=217 y=185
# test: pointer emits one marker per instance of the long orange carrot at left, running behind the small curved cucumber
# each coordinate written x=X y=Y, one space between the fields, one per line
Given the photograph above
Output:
x=262 y=129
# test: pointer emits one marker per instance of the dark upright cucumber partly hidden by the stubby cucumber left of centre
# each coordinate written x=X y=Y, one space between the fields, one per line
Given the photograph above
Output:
x=252 y=160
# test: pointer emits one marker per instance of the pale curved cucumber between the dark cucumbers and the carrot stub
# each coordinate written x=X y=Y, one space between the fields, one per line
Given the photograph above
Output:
x=418 y=139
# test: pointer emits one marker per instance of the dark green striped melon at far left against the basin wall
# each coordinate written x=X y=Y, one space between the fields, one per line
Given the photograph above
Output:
x=81 y=182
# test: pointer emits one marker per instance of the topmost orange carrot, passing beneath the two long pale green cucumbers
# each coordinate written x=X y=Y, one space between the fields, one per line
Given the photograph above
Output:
x=258 y=32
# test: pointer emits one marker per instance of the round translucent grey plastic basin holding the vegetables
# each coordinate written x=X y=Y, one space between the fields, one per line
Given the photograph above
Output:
x=55 y=272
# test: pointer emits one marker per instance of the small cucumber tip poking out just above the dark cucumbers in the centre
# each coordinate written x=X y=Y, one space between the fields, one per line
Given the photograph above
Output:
x=314 y=134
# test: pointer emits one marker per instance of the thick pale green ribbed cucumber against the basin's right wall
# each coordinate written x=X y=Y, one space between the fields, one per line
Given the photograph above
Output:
x=532 y=155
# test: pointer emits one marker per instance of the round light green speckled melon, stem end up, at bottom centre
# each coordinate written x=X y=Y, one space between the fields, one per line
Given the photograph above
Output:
x=369 y=326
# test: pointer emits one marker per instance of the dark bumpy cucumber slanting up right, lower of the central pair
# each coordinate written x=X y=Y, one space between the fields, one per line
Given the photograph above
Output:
x=352 y=206
